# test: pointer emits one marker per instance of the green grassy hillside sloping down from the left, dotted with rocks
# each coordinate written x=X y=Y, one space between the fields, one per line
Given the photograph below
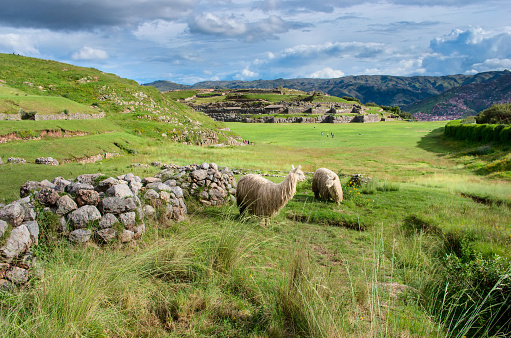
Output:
x=49 y=88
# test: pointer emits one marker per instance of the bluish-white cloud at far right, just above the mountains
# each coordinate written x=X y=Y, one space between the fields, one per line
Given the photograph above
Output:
x=464 y=50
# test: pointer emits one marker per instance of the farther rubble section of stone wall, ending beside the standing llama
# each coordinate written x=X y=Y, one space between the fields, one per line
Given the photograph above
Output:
x=208 y=183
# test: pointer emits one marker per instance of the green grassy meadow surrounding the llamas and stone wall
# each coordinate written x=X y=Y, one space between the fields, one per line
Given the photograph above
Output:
x=421 y=251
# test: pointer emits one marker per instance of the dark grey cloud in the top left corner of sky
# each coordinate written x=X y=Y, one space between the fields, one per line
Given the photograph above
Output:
x=85 y=15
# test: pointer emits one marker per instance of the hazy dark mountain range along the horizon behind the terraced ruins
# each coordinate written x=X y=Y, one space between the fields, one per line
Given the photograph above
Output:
x=452 y=95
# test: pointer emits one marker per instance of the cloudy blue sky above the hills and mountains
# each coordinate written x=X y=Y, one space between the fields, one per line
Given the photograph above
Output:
x=187 y=41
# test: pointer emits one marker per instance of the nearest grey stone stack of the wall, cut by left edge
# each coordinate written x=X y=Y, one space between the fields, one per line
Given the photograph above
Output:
x=19 y=231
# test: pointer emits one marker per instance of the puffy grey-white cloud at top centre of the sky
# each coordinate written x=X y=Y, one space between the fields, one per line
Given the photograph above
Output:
x=239 y=27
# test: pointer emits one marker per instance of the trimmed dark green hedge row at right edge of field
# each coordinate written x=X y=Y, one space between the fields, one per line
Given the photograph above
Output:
x=478 y=132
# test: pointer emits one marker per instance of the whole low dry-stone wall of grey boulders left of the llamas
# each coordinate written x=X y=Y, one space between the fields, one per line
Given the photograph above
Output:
x=102 y=209
